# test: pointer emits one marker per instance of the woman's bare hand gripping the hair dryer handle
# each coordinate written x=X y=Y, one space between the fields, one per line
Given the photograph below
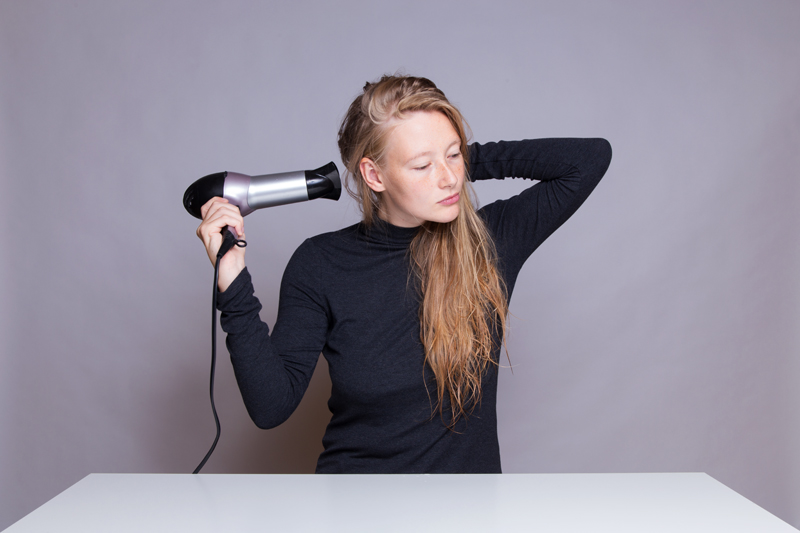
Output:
x=217 y=214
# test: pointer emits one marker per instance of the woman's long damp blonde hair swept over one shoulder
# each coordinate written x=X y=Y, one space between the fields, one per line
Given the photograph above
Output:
x=463 y=304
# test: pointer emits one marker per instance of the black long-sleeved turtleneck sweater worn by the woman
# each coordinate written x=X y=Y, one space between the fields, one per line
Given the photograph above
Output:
x=348 y=295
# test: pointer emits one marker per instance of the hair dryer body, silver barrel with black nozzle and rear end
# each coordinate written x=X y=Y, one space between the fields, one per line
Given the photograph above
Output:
x=268 y=190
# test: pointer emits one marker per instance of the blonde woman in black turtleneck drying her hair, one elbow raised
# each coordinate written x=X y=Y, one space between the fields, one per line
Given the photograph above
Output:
x=408 y=306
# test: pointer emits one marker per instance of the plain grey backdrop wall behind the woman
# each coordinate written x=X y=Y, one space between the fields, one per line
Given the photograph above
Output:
x=656 y=331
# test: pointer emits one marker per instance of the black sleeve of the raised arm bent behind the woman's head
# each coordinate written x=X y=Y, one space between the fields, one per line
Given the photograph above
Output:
x=567 y=170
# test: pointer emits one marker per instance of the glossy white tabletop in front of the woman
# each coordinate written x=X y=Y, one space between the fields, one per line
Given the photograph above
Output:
x=377 y=503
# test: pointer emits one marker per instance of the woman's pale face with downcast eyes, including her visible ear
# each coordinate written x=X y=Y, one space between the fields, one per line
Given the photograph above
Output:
x=423 y=173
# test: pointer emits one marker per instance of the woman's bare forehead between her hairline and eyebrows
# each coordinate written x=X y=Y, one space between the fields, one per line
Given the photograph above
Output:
x=421 y=131
